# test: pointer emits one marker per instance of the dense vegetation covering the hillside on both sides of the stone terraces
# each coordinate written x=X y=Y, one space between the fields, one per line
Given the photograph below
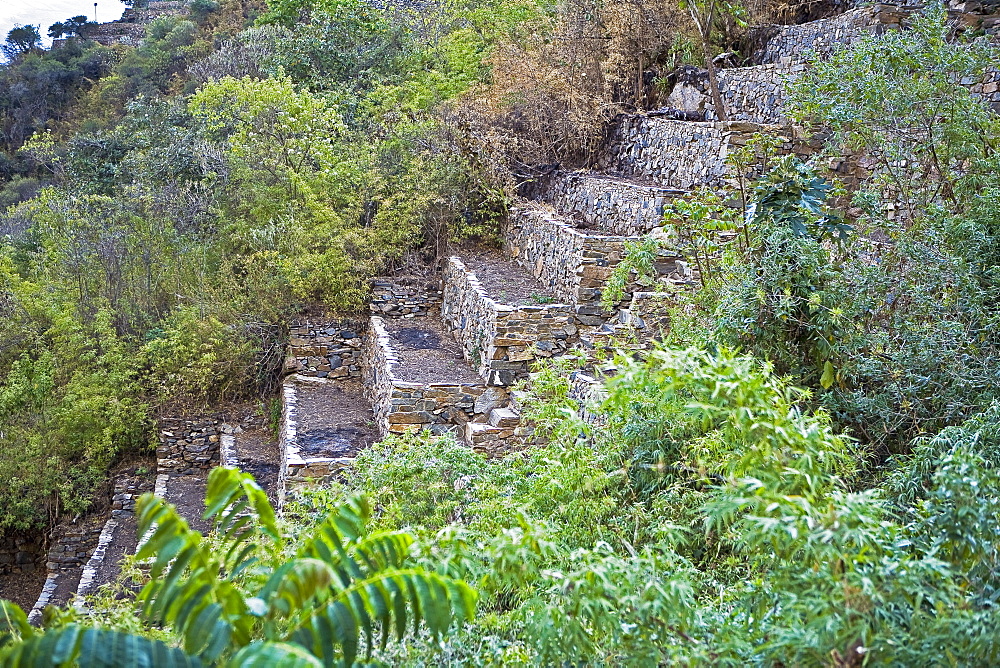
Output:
x=804 y=472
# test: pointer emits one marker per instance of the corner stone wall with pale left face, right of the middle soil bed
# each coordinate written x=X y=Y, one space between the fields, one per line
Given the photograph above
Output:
x=501 y=341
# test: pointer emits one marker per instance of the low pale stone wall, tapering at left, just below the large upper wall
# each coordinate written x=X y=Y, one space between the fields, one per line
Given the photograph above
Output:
x=611 y=205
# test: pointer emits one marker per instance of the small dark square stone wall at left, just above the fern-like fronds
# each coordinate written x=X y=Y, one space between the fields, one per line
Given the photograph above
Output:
x=188 y=446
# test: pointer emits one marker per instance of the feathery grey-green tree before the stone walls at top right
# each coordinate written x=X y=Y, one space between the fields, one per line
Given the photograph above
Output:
x=900 y=99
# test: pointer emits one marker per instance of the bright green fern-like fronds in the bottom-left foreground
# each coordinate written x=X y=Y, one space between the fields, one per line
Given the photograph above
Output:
x=247 y=597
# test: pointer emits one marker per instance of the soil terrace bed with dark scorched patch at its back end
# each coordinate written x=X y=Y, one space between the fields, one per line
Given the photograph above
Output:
x=427 y=353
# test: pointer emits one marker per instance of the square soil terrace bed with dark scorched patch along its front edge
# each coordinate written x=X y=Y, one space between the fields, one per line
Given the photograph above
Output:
x=333 y=419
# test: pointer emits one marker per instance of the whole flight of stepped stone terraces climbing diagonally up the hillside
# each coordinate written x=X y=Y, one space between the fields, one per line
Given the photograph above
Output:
x=444 y=353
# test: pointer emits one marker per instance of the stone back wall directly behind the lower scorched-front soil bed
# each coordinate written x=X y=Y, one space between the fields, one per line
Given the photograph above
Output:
x=325 y=348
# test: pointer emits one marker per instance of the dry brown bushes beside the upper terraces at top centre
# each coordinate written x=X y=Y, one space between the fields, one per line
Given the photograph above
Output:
x=552 y=94
